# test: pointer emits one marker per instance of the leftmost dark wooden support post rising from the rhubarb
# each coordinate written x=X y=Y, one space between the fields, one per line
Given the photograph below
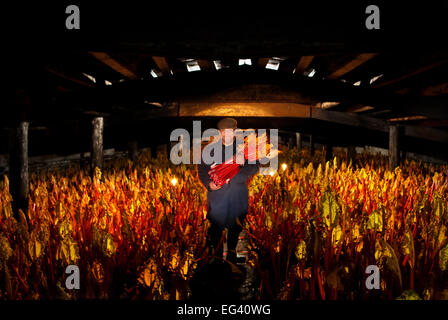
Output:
x=18 y=167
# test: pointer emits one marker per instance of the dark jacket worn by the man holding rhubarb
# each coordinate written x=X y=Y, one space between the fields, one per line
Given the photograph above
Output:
x=232 y=199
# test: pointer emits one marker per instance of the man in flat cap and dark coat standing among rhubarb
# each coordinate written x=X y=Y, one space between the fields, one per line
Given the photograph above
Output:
x=227 y=205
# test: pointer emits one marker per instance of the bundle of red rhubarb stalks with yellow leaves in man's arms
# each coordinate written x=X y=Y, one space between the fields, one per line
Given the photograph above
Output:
x=253 y=149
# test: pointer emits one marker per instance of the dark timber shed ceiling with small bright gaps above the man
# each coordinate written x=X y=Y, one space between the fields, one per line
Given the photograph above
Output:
x=50 y=70
